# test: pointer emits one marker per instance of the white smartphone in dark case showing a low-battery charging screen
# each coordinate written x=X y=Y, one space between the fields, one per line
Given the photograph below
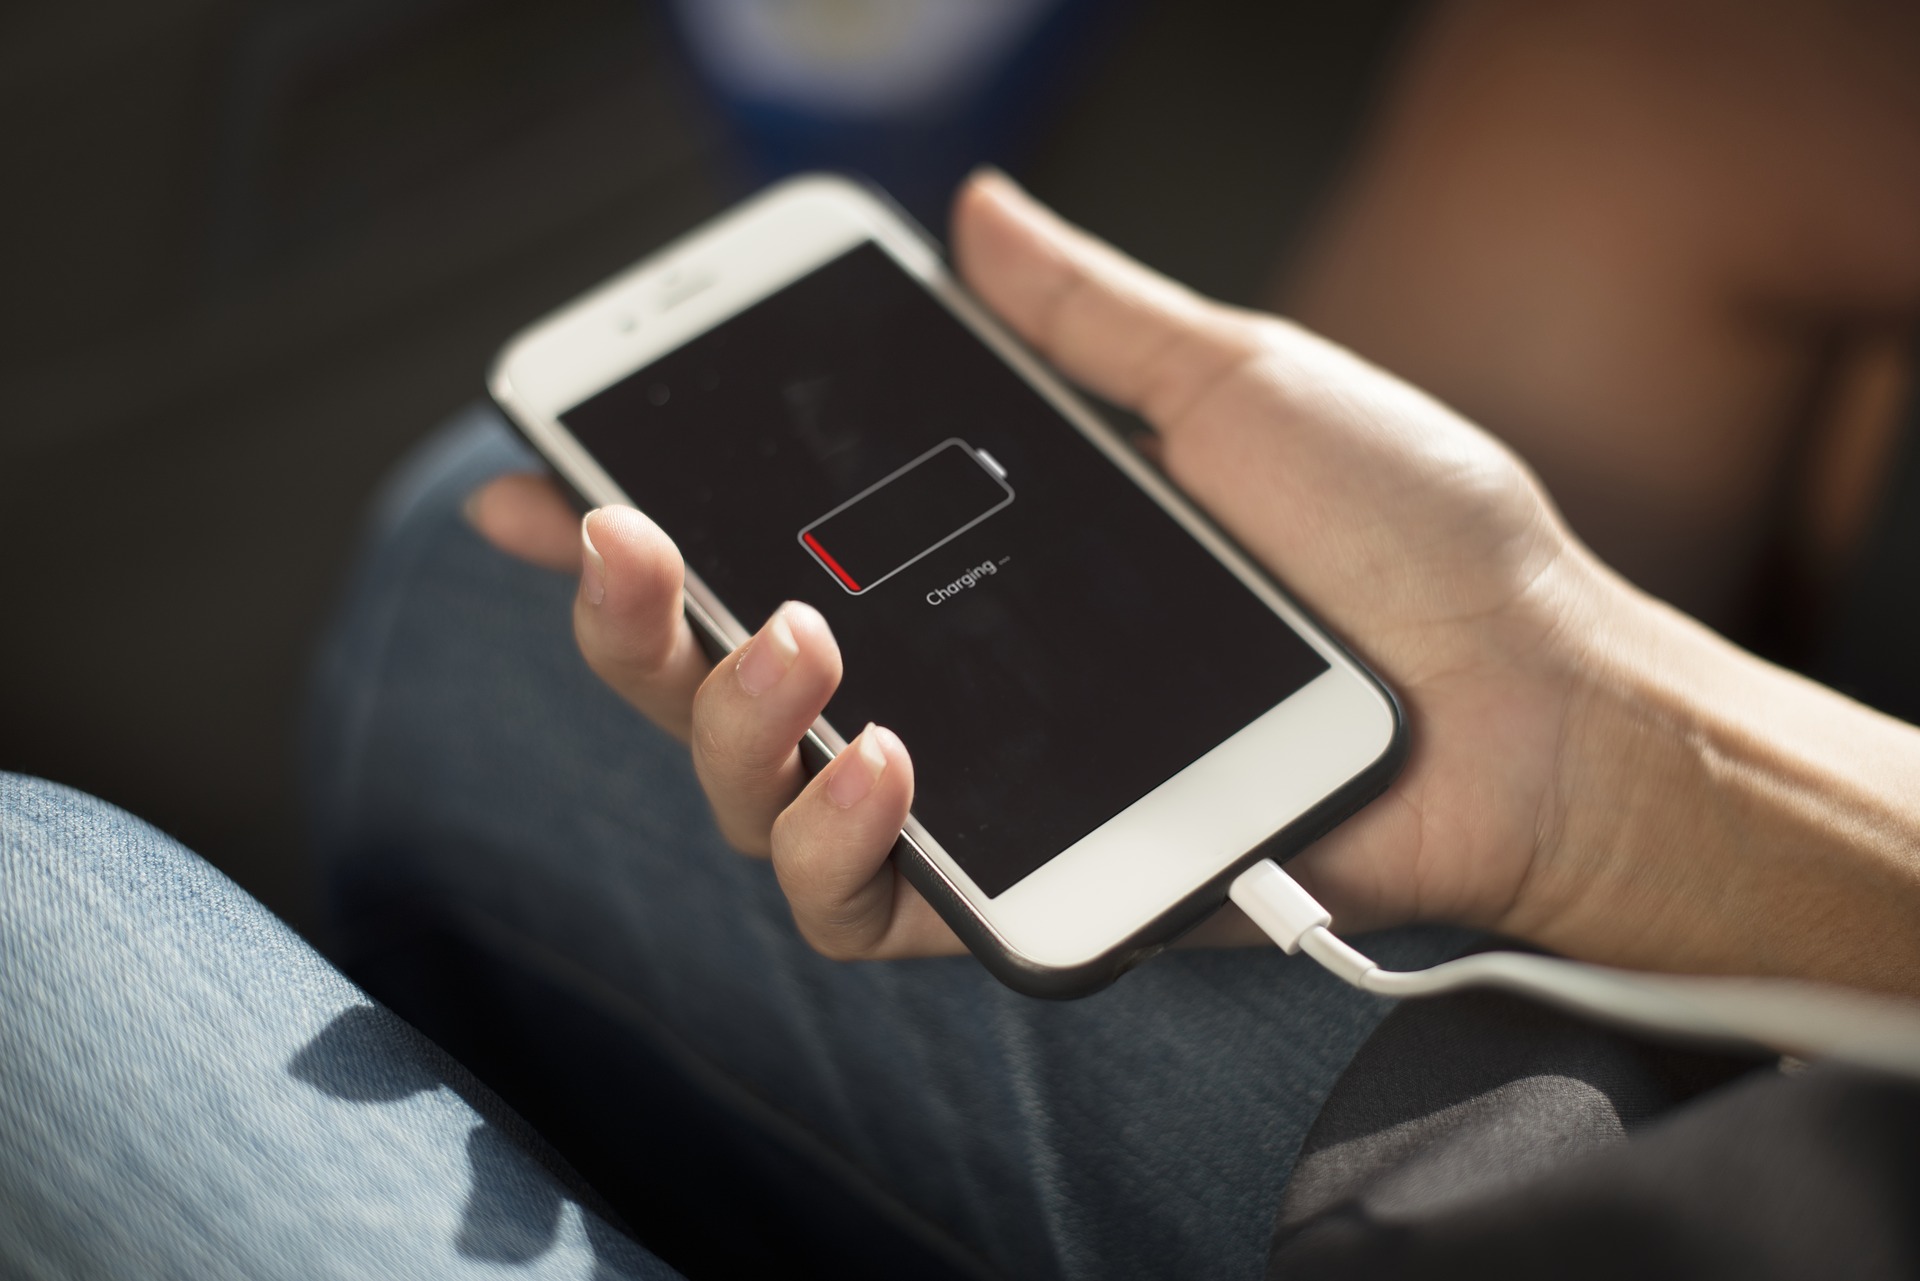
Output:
x=1113 y=710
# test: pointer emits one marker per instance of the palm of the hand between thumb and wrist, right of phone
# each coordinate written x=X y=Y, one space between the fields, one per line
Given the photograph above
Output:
x=1437 y=556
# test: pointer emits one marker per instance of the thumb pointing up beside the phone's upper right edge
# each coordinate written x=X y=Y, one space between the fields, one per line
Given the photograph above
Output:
x=1128 y=333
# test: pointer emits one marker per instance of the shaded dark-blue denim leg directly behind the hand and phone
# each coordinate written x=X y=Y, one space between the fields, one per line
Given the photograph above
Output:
x=506 y=836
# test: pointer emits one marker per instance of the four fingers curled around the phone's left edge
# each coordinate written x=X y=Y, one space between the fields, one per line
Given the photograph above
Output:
x=828 y=836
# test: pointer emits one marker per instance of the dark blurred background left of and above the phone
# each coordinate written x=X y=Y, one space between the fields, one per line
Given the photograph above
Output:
x=258 y=249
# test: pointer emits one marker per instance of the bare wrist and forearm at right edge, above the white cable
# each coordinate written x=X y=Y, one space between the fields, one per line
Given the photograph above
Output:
x=1717 y=815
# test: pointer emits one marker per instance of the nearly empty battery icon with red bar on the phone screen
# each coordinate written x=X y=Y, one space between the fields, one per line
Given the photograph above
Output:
x=909 y=514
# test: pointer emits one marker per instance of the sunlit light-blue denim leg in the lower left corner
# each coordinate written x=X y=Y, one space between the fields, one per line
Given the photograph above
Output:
x=187 y=1090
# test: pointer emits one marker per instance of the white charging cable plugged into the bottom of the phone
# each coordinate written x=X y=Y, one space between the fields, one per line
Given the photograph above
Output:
x=1806 y=1021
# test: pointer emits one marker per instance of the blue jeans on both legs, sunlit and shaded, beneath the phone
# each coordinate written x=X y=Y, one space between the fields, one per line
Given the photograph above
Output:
x=527 y=871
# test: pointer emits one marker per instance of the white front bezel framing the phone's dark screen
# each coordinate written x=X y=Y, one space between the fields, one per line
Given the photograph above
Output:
x=1335 y=738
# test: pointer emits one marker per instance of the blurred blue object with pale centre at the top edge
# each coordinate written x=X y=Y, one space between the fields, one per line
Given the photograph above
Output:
x=909 y=93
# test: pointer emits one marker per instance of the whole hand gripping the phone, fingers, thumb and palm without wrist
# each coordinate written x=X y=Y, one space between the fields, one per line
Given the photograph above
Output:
x=1412 y=533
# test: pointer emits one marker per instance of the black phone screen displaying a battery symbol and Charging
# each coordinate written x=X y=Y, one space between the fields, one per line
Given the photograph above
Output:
x=1047 y=640
